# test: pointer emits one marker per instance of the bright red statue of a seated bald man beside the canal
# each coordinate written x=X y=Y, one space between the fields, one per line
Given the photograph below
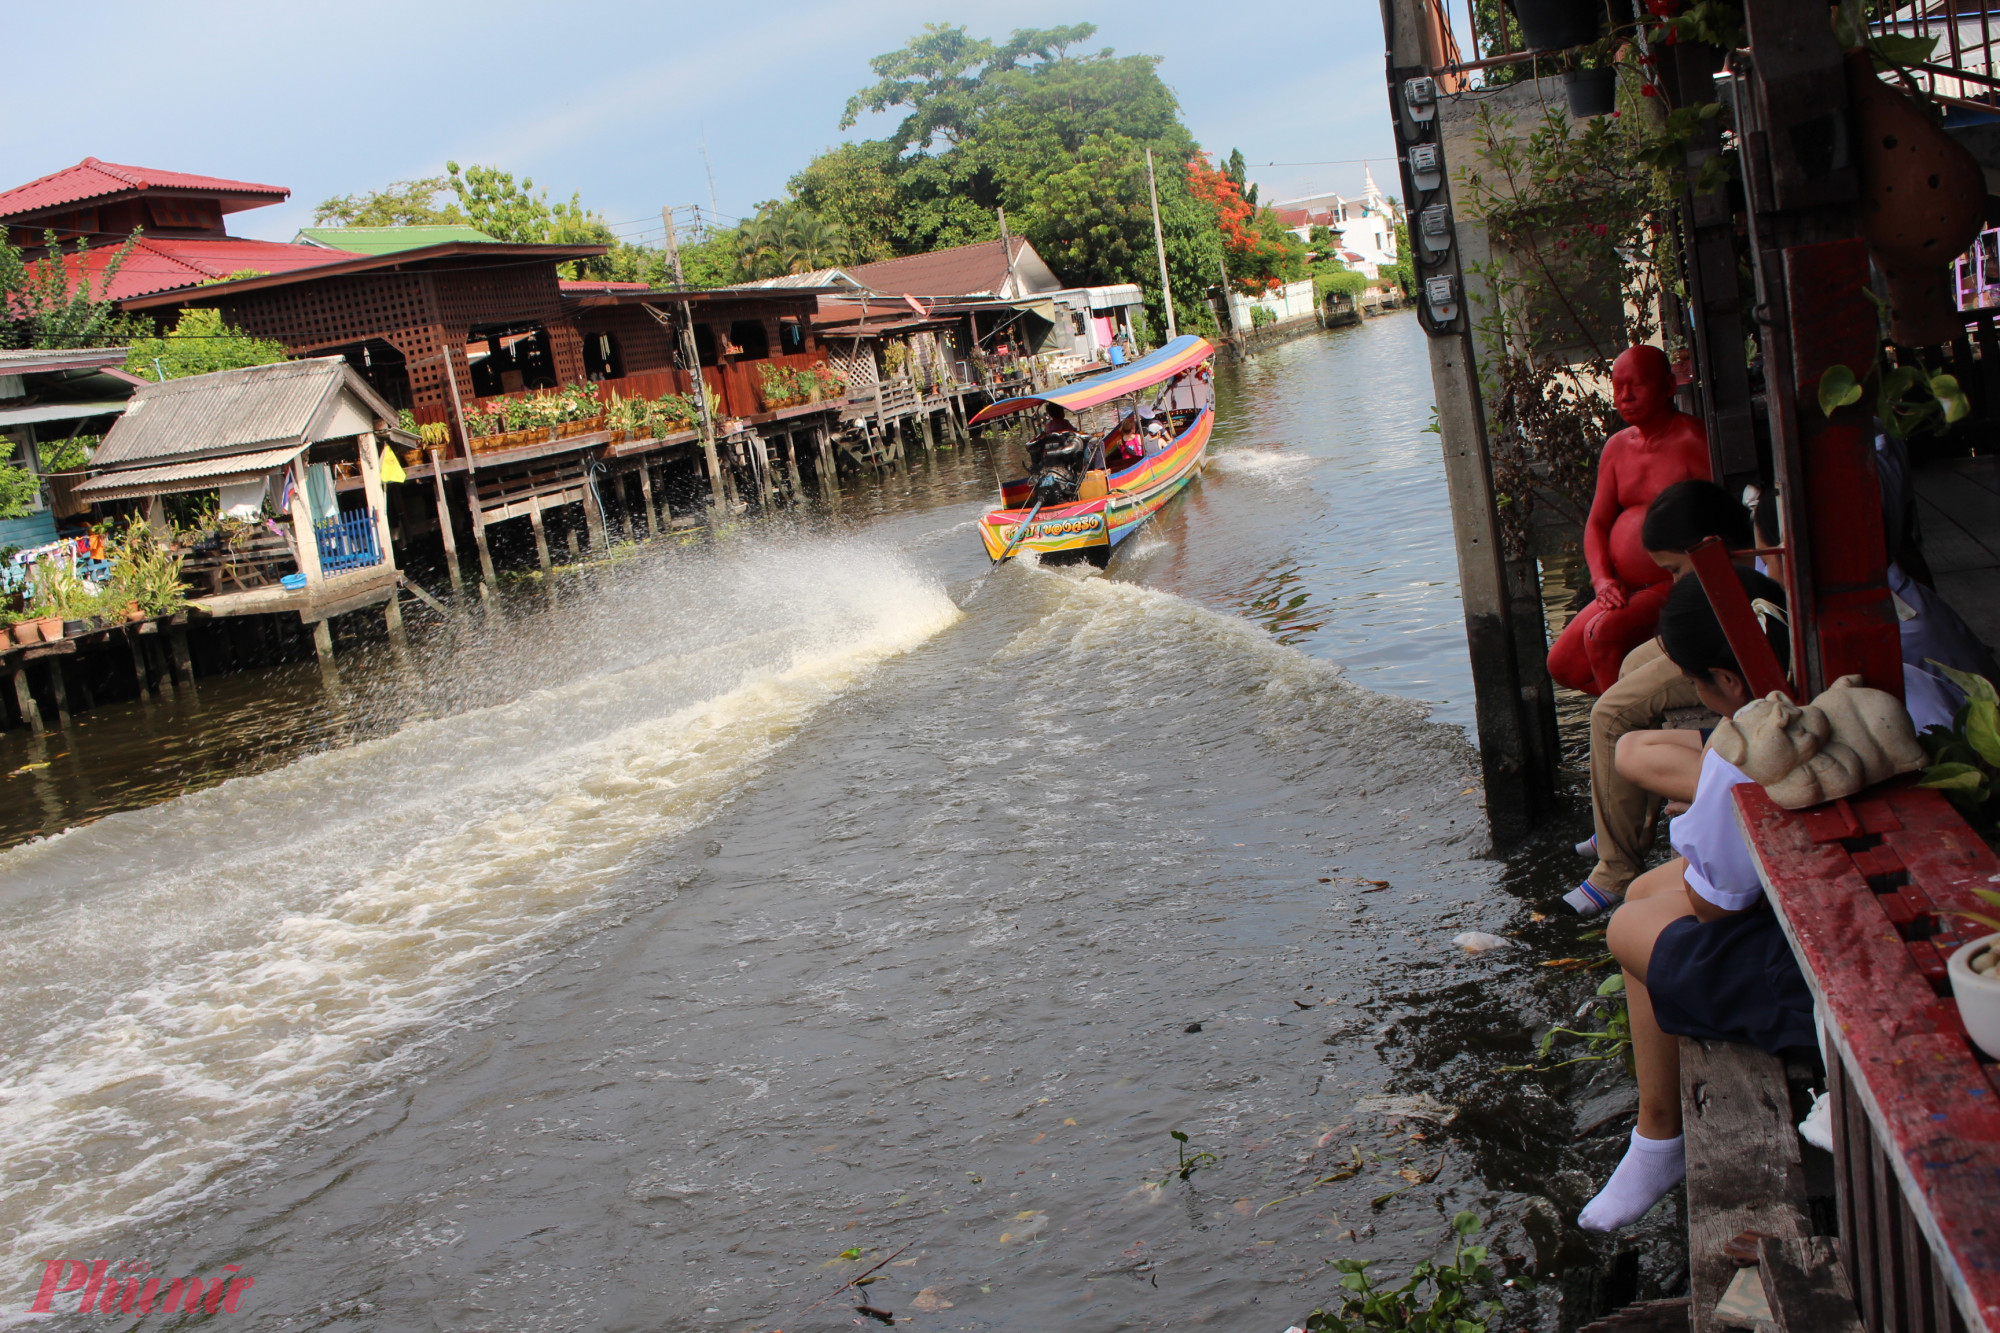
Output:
x=1659 y=447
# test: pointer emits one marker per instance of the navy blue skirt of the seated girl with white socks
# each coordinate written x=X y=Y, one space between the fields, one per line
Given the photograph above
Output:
x=1731 y=980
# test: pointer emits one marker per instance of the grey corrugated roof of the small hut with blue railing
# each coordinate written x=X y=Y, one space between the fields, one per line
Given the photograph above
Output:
x=231 y=413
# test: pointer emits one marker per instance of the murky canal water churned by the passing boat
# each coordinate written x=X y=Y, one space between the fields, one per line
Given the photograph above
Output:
x=743 y=914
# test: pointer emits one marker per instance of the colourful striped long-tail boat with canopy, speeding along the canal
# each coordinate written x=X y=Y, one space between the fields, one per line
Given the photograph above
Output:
x=1087 y=509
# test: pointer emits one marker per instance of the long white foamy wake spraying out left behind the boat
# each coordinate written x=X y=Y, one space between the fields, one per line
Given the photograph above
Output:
x=185 y=984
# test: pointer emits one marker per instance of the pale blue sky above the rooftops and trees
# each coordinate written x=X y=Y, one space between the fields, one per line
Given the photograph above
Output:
x=615 y=99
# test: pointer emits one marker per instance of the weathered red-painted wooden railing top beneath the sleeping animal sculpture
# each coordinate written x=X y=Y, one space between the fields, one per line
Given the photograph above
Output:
x=1927 y=1096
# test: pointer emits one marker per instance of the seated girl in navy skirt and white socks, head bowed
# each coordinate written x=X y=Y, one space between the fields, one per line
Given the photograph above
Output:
x=1701 y=950
